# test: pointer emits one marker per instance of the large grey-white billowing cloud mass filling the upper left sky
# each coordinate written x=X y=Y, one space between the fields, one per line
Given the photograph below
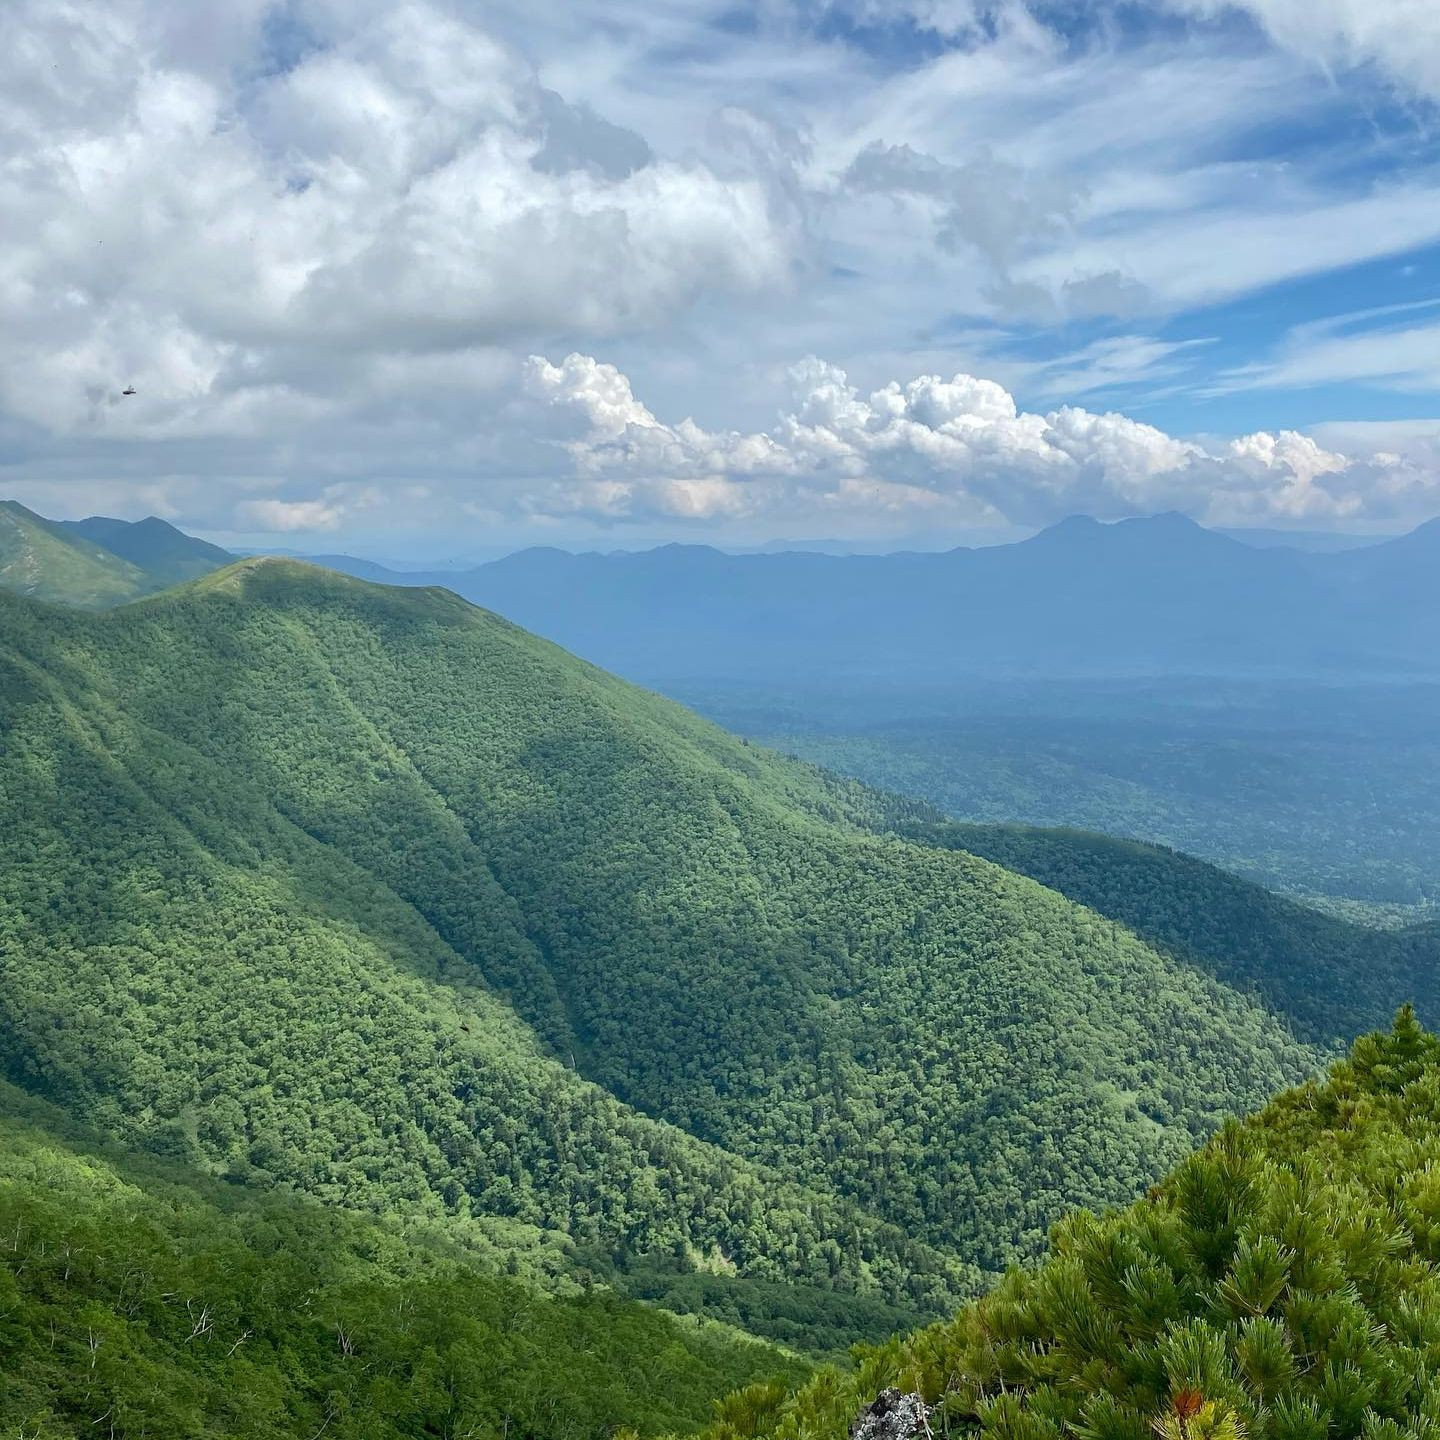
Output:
x=220 y=230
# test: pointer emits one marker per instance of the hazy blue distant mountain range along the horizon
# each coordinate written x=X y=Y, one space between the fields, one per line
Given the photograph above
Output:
x=1148 y=597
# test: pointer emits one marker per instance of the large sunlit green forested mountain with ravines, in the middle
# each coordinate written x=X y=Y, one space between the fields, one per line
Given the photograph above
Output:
x=372 y=894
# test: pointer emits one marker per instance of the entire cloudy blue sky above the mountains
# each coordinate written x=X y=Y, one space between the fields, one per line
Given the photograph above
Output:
x=436 y=277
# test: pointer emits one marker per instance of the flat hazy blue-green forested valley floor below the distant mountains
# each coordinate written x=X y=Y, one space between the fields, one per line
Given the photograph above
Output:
x=1321 y=791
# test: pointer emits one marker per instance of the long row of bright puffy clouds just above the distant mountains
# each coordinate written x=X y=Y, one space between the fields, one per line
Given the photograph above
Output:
x=958 y=446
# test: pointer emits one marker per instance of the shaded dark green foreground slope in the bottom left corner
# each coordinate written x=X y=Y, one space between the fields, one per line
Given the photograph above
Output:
x=142 y=1301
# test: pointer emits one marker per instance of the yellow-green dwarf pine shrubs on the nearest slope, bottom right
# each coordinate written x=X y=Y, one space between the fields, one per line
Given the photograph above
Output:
x=1281 y=1285
